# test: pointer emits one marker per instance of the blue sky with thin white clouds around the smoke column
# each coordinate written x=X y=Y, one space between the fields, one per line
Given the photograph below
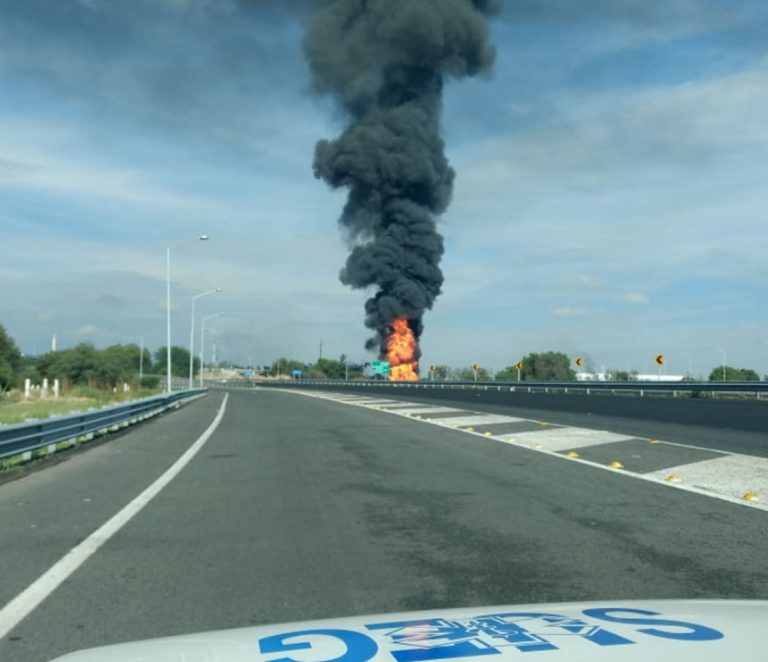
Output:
x=610 y=199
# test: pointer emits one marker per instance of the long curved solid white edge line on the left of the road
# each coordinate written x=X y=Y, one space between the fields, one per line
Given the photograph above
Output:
x=26 y=601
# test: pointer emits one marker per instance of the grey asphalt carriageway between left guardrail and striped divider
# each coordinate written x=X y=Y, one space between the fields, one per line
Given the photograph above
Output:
x=298 y=508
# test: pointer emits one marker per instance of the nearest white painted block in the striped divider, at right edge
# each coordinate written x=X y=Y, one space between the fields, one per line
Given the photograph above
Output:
x=733 y=475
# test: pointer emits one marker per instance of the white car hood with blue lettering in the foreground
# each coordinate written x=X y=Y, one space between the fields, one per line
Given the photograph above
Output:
x=623 y=631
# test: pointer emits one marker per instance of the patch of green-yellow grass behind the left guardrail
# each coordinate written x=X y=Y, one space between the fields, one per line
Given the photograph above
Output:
x=15 y=409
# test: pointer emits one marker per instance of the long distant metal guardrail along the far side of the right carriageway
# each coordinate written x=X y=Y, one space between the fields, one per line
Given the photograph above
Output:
x=756 y=389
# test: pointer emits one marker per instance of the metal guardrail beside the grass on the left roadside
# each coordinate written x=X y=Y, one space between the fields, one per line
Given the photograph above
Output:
x=28 y=437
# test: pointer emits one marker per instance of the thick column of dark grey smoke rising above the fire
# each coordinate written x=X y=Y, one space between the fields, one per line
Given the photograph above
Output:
x=386 y=62
